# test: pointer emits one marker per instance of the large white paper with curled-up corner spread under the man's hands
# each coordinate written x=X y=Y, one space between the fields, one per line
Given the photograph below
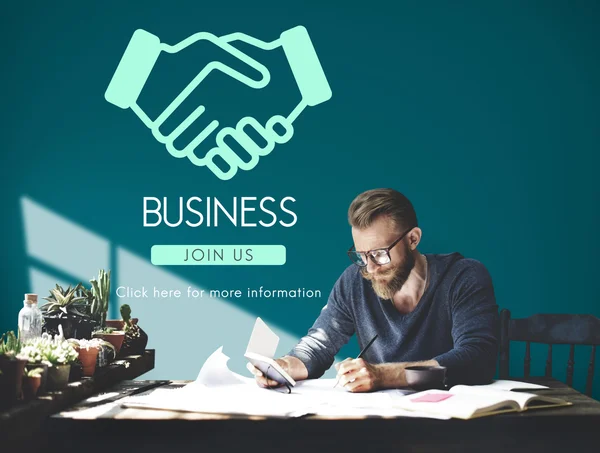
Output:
x=219 y=390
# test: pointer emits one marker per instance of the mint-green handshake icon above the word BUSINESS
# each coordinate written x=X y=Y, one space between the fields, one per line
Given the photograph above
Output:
x=139 y=59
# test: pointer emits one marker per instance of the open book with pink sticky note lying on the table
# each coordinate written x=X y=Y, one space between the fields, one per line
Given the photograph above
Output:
x=465 y=402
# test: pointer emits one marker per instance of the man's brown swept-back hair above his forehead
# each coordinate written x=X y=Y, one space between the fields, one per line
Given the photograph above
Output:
x=374 y=203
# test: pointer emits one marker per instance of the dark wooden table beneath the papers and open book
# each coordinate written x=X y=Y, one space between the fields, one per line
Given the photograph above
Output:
x=572 y=429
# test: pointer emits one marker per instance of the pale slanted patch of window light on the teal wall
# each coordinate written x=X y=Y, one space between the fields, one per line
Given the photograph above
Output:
x=184 y=332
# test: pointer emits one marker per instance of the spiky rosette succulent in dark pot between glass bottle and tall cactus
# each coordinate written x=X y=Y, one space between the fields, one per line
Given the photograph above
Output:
x=69 y=308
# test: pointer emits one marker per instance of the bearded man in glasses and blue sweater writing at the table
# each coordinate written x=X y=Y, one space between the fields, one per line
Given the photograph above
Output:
x=427 y=309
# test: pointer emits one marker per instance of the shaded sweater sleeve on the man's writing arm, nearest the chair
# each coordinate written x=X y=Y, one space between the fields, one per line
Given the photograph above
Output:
x=475 y=328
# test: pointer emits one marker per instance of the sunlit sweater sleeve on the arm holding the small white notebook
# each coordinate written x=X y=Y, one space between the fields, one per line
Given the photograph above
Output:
x=332 y=329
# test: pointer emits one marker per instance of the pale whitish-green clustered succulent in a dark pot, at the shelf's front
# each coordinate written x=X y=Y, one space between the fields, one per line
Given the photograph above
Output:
x=61 y=354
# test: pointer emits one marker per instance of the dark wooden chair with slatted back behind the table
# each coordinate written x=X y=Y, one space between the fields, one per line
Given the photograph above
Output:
x=550 y=329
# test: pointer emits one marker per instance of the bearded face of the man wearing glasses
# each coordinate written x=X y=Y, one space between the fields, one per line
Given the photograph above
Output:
x=389 y=278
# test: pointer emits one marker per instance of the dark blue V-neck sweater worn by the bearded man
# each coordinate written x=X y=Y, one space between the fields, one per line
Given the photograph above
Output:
x=455 y=322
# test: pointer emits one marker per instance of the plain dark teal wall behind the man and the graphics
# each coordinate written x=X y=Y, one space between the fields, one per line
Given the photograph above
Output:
x=486 y=115
